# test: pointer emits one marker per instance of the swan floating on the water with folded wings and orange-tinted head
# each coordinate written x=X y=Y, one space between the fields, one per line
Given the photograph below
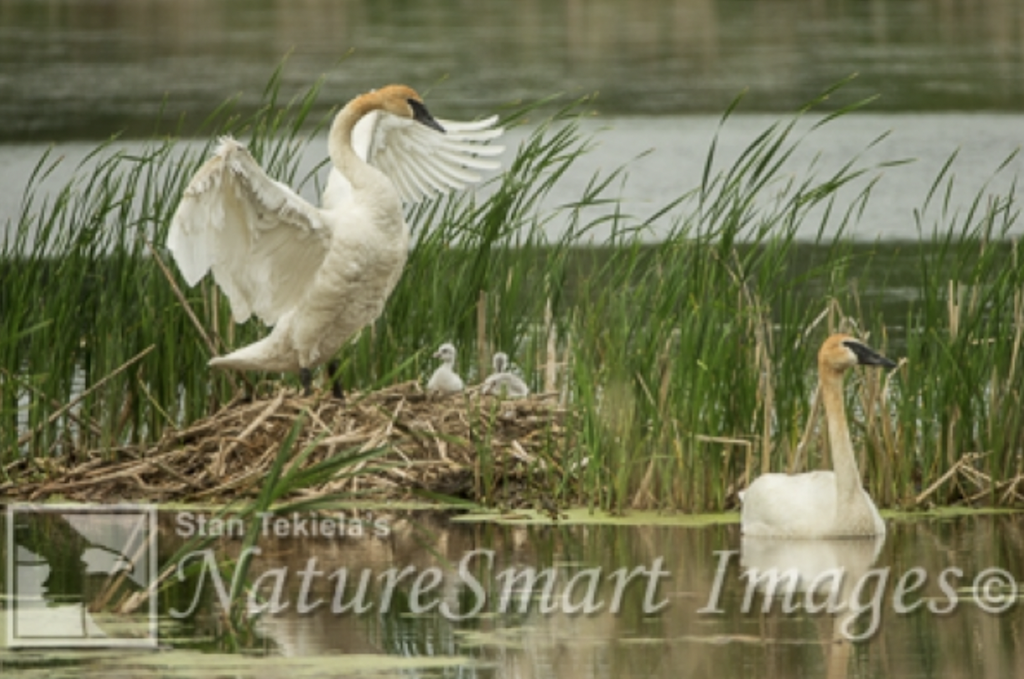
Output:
x=821 y=504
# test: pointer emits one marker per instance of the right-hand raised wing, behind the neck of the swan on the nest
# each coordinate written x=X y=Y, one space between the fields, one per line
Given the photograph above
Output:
x=421 y=161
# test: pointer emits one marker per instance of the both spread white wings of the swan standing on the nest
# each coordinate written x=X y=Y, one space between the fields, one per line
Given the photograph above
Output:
x=265 y=243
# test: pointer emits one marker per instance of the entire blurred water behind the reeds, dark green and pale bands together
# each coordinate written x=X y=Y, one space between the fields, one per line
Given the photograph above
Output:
x=948 y=76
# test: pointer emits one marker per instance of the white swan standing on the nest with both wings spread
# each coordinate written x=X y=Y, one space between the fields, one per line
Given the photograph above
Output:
x=320 y=275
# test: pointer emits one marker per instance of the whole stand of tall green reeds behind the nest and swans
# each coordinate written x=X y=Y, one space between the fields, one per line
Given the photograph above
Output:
x=685 y=366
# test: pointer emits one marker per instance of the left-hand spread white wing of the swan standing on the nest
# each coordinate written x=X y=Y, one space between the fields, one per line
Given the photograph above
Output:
x=262 y=240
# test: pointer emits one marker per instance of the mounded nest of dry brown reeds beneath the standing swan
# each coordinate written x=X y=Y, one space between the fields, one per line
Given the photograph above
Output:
x=465 y=446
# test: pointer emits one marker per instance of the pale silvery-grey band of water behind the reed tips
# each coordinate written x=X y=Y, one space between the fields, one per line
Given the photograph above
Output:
x=665 y=157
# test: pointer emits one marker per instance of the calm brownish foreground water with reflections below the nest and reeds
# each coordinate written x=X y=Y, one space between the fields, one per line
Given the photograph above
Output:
x=702 y=629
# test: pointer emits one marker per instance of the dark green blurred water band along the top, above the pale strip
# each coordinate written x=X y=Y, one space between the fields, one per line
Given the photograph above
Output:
x=87 y=69
